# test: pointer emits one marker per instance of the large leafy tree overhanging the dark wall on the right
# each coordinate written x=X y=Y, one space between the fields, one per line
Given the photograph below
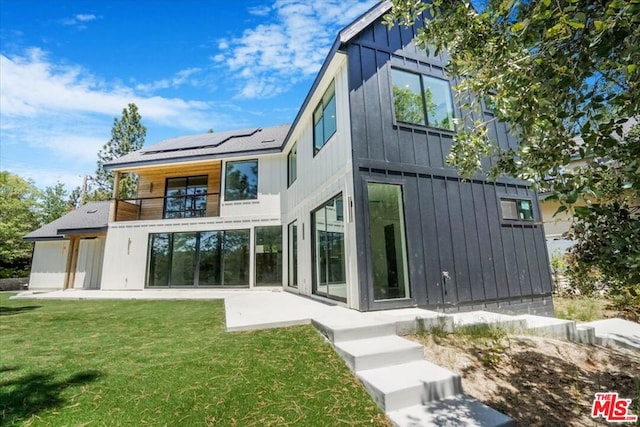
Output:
x=564 y=76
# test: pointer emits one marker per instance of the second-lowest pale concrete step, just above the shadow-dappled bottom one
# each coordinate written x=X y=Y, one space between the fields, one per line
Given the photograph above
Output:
x=408 y=384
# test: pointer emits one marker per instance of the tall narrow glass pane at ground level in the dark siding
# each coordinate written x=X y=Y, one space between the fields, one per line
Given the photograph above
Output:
x=388 y=241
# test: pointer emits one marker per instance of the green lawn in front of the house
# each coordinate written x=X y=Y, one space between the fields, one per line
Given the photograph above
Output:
x=167 y=363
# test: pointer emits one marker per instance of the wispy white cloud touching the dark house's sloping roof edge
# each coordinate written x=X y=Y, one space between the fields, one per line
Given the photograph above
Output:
x=269 y=57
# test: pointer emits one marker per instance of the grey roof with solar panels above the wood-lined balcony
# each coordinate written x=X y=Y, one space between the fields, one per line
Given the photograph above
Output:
x=206 y=146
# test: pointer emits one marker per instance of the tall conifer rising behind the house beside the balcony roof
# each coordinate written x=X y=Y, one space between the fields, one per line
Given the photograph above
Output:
x=127 y=135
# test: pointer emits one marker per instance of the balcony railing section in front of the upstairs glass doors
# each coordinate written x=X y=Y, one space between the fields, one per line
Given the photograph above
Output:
x=167 y=207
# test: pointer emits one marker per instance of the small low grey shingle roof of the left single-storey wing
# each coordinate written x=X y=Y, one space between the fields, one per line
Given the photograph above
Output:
x=90 y=218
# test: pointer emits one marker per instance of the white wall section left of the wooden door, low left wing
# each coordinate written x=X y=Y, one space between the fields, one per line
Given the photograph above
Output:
x=48 y=265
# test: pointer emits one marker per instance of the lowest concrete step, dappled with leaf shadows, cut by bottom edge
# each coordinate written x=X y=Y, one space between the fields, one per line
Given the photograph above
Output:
x=459 y=410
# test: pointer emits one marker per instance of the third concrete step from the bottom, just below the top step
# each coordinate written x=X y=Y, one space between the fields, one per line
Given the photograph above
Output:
x=378 y=352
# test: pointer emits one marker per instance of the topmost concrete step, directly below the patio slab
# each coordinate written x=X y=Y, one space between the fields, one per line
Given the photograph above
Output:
x=338 y=331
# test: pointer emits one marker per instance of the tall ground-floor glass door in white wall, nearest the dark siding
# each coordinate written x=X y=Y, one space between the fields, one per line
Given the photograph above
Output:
x=328 y=250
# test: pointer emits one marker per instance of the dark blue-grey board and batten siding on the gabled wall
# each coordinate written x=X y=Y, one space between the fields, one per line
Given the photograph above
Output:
x=452 y=225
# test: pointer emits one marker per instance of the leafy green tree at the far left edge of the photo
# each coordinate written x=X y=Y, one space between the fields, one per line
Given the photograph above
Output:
x=18 y=216
